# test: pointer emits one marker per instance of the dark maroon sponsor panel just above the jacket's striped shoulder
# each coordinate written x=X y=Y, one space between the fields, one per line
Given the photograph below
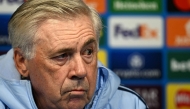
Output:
x=151 y=94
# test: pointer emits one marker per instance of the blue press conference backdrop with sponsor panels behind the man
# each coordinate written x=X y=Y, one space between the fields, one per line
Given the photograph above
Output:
x=145 y=42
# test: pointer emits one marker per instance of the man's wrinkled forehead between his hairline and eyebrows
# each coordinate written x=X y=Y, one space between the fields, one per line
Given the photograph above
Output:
x=56 y=29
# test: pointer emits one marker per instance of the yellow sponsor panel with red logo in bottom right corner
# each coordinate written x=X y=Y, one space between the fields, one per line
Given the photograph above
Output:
x=178 y=96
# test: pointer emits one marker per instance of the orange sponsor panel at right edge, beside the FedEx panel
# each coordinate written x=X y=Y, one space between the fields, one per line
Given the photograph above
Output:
x=178 y=32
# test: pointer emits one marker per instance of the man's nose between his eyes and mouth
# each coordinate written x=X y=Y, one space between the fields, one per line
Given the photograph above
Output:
x=78 y=69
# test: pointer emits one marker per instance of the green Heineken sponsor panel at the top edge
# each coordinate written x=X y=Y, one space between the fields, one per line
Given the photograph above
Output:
x=136 y=5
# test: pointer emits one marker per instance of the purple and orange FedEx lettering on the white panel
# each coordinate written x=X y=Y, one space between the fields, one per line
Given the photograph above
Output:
x=141 y=31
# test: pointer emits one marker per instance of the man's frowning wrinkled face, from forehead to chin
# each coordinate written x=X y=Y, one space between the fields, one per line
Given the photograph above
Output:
x=64 y=69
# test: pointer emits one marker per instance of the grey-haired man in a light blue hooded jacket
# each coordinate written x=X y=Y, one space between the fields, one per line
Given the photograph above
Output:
x=53 y=63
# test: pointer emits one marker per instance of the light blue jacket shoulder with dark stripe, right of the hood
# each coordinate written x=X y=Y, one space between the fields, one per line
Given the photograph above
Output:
x=126 y=98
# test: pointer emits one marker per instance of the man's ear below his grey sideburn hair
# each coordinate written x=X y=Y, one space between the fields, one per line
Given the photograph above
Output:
x=21 y=62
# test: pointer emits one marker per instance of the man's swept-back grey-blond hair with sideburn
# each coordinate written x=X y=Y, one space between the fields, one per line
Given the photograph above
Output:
x=28 y=17
